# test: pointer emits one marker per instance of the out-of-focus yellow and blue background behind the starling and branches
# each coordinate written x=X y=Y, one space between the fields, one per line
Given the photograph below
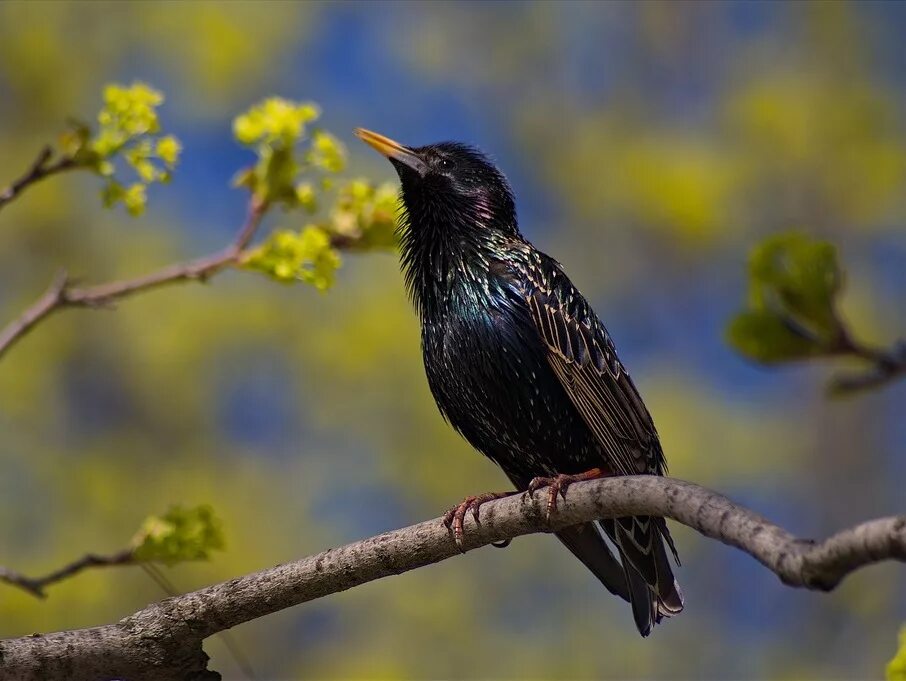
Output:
x=650 y=146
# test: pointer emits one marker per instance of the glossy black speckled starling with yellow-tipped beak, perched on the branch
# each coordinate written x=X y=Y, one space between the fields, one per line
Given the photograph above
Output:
x=521 y=366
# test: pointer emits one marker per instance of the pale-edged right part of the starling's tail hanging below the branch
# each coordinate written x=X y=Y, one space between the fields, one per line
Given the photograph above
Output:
x=653 y=591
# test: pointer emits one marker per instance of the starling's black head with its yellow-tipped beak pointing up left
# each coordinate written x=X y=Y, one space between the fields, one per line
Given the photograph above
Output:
x=449 y=189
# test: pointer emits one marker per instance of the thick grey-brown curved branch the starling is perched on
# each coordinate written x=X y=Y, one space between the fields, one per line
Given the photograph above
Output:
x=164 y=640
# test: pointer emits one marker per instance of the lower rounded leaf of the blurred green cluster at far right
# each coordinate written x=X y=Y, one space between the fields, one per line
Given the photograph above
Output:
x=767 y=337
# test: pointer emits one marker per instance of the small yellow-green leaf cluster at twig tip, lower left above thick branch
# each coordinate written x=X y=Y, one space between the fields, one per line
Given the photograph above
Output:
x=179 y=535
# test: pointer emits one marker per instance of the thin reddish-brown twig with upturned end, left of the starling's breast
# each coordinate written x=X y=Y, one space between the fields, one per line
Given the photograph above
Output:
x=61 y=295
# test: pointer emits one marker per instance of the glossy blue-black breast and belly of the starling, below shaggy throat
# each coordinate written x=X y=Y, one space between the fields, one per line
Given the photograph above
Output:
x=490 y=377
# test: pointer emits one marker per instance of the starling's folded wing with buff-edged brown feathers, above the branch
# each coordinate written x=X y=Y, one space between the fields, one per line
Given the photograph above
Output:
x=583 y=357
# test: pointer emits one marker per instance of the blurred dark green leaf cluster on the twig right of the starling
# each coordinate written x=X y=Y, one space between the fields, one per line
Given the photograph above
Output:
x=793 y=284
